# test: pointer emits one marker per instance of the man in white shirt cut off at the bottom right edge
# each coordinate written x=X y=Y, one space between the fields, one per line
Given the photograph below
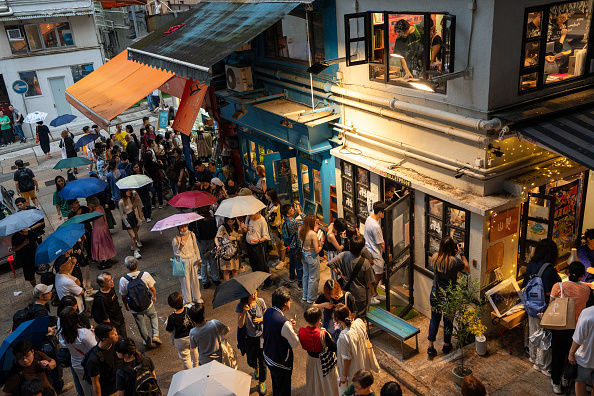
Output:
x=582 y=350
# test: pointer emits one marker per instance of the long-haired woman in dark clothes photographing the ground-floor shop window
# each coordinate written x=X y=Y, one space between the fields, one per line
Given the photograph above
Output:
x=446 y=265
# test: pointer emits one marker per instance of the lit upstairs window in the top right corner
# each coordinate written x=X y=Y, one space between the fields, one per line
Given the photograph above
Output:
x=555 y=44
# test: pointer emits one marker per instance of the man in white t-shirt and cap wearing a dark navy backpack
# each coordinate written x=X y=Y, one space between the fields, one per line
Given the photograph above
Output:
x=150 y=312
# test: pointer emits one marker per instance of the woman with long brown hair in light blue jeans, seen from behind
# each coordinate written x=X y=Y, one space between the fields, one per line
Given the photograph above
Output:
x=308 y=236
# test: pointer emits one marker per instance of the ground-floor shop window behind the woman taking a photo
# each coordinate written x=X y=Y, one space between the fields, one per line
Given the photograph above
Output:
x=443 y=219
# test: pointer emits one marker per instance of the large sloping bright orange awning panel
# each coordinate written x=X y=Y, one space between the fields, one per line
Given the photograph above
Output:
x=114 y=87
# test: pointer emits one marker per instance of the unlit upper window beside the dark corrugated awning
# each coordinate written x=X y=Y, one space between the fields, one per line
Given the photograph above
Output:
x=288 y=38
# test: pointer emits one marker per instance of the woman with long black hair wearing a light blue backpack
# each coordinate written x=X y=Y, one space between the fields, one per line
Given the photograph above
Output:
x=545 y=253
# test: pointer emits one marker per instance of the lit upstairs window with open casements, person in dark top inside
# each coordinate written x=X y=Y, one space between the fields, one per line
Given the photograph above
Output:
x=401 y=47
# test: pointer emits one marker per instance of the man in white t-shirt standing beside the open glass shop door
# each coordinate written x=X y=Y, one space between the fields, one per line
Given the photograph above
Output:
x=374 y=242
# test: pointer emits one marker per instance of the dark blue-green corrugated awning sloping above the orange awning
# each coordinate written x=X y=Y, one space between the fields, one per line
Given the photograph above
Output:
x=213 y=29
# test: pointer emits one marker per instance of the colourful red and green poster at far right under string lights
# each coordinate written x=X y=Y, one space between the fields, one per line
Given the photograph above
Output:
x=566 y=208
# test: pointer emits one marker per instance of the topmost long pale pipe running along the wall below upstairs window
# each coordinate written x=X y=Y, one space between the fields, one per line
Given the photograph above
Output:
x=395 y=104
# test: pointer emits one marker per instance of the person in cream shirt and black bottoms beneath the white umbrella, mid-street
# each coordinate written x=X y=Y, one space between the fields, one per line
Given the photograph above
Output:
x=257 y=236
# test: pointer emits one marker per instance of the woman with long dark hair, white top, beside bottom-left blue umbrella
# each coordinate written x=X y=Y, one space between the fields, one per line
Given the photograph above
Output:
x=79 y=340
